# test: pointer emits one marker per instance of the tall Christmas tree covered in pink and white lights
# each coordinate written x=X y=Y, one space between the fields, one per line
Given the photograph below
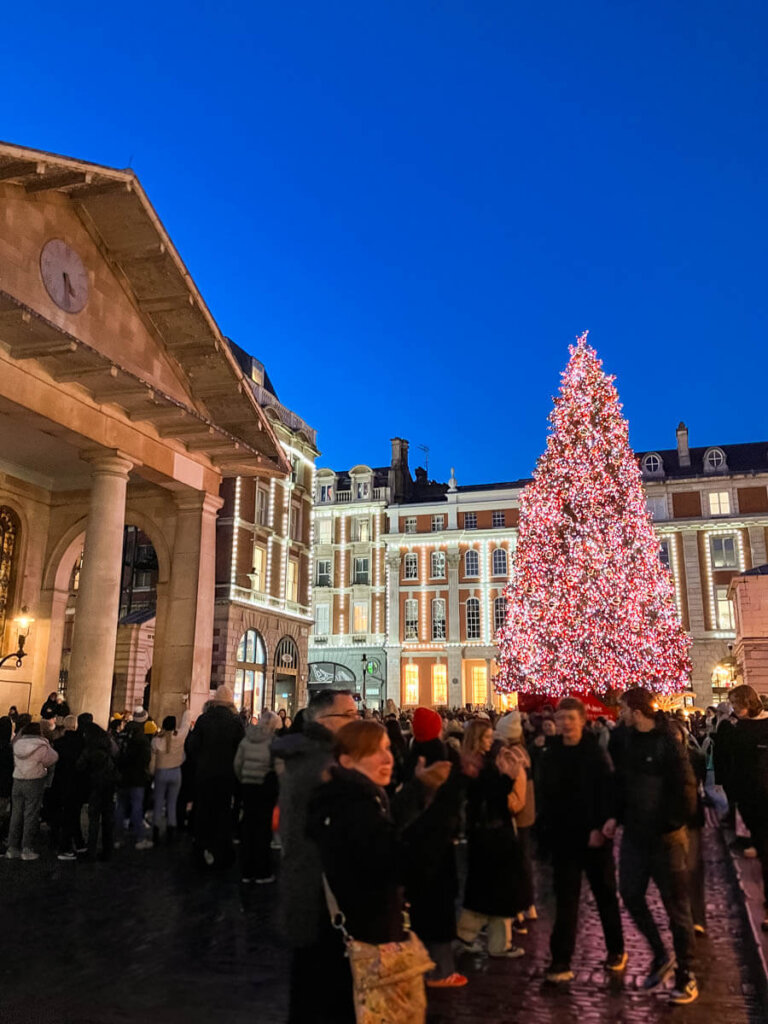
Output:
x=590 y=606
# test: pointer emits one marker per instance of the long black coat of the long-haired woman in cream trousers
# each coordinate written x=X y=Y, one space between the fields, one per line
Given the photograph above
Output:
x=495 y=881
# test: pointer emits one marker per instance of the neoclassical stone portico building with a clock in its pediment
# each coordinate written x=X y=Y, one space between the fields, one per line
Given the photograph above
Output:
x=121 y=405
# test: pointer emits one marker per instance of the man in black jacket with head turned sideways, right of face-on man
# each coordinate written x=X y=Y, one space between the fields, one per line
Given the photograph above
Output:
x=657 y=798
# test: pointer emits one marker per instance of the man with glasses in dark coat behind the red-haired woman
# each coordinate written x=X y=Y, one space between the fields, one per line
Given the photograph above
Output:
x=318 y=984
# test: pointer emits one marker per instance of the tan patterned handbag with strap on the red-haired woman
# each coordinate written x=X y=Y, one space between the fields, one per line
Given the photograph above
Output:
x=389 y=979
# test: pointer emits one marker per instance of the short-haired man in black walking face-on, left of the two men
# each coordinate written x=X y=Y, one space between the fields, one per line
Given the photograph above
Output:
x=577 y=799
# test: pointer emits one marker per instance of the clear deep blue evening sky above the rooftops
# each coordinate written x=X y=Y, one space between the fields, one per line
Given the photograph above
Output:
x=409 y=208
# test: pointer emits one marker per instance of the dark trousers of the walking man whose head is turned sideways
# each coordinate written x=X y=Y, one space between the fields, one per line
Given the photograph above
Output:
x=666 y=864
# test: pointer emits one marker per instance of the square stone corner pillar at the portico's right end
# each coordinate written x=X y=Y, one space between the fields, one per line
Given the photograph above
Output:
x=184 y=665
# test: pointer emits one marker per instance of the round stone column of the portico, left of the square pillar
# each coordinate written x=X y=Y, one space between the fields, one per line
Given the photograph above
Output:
x=93 y=659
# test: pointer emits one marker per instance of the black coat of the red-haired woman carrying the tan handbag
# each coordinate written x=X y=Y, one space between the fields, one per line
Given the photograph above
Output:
x=363 y=859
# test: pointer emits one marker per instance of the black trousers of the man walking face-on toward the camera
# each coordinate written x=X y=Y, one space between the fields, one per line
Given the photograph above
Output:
x=598 y=865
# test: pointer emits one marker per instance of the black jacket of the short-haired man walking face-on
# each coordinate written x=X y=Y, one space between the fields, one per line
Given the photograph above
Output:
x=576 y=795
